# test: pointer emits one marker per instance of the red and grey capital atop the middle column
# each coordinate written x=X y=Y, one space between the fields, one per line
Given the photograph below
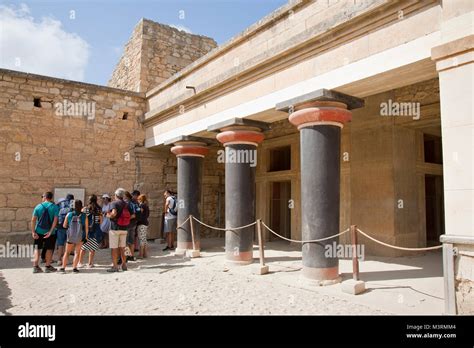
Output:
x=239 y=131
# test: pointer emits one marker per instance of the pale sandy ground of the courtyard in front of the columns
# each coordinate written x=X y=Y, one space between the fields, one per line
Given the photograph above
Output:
x=169 y=284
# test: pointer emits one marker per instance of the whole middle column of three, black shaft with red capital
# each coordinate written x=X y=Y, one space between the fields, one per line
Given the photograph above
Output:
x=240 y=138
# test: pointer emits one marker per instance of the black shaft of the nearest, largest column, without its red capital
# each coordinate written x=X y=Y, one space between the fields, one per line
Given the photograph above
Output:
x=320 y=171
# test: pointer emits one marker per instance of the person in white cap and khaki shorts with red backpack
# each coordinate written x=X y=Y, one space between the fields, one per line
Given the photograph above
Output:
x=119 y=215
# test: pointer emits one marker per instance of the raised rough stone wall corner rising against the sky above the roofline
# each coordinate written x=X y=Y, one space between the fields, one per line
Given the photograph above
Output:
x=154 y=53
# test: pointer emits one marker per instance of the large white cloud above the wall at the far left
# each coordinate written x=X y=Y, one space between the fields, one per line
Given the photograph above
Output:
x=40 y=47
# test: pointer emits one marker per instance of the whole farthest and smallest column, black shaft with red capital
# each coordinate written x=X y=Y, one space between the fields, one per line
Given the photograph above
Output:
x=190 y=152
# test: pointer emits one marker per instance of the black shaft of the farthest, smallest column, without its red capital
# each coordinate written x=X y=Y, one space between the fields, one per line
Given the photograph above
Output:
x=189 y=198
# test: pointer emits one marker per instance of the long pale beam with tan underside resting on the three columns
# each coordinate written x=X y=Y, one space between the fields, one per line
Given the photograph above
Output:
x=396 y=67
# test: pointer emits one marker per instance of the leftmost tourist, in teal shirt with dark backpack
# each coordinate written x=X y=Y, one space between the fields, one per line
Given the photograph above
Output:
x=43 y=225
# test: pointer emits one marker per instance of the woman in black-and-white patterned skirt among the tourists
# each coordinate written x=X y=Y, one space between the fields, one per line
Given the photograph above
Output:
x=94 y=216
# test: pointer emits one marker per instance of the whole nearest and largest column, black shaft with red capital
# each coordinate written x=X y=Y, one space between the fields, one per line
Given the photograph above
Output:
x=319 y=117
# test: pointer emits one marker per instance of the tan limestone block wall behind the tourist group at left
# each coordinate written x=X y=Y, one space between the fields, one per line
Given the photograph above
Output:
x=41 y=148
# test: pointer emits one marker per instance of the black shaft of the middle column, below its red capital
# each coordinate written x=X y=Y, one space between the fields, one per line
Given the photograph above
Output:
x=239 y=206
